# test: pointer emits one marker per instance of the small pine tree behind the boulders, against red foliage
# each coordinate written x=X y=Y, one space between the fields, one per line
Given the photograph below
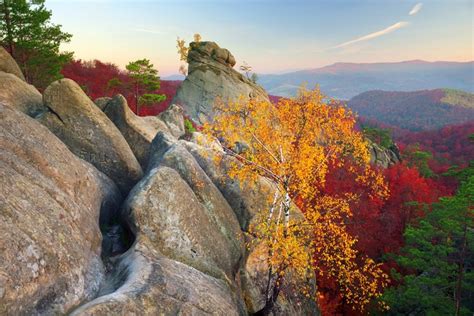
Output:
x=145 y=81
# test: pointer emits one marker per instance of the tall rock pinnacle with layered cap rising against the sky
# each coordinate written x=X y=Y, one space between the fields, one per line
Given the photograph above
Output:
x=211 y=76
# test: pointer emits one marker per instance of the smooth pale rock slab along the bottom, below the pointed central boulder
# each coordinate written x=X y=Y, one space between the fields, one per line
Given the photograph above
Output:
x=156 y=285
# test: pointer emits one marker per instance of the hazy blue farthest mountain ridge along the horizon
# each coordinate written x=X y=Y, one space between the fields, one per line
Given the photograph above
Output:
x=345 y=80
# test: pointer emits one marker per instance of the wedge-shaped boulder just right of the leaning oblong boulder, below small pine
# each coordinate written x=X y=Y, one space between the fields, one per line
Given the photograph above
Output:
x=138 y=133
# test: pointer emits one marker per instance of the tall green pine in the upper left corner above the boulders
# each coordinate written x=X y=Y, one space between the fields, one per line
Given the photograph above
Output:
x=29 y=36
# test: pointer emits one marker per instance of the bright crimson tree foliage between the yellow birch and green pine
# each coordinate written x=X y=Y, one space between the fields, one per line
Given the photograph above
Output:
x=378 y=224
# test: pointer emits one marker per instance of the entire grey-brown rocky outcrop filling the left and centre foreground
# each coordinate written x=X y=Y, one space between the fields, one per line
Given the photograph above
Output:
x=103 y=212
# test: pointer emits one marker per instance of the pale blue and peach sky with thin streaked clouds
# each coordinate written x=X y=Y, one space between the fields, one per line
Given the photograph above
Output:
x=271 y=36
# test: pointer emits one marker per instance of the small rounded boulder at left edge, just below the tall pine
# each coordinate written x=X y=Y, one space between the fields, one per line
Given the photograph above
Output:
x=16 y=93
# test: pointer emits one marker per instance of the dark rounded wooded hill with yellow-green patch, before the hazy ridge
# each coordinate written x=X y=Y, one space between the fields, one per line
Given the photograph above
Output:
x=416 y=110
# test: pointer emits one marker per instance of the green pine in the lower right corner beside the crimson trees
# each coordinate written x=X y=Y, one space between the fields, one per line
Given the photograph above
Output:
x=439 y=259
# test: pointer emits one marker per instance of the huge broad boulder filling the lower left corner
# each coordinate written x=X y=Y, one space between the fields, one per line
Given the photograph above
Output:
x=50 y=202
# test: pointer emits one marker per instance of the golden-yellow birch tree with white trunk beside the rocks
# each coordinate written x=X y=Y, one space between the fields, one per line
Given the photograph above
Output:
x=294 y=143
